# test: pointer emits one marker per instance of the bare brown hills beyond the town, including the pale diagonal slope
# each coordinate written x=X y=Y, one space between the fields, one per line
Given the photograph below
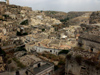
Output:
x=70 y=18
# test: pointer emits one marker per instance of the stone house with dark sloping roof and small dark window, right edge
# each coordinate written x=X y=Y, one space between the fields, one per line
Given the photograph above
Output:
x=89 y=42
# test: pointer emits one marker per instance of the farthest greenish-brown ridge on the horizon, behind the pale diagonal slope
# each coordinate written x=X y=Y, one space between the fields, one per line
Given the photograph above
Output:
x=63 y=15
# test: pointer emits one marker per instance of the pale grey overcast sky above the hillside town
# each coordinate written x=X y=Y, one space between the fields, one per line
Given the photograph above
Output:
x=60 y=5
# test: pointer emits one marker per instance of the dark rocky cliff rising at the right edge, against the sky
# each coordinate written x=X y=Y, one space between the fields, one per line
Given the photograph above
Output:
x=95 y=18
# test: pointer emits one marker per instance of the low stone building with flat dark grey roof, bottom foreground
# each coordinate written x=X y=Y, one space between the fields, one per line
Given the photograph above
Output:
x=41 y=68
